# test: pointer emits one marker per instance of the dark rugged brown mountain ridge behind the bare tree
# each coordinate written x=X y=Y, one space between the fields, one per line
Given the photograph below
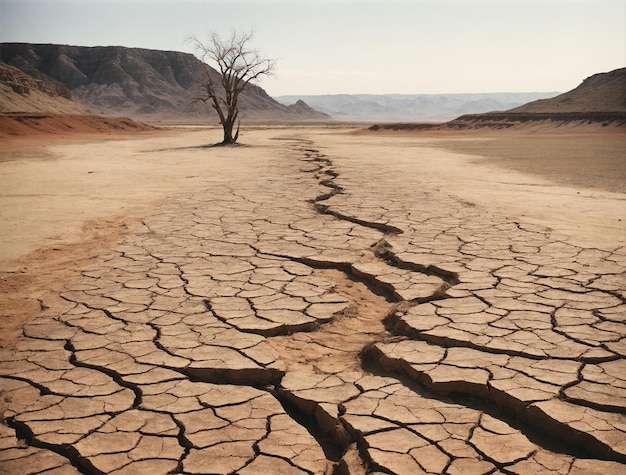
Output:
x=114 y=80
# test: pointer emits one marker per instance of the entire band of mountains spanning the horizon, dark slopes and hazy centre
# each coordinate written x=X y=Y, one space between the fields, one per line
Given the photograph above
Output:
x=160 y=85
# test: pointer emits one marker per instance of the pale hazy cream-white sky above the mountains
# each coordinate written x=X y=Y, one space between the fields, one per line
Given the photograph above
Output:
x=360 y=46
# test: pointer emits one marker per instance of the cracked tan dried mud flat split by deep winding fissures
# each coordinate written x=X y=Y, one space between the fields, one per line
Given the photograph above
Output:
x=314 y=302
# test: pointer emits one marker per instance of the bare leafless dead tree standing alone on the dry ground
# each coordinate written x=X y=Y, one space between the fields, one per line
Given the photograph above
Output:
x=238 y=65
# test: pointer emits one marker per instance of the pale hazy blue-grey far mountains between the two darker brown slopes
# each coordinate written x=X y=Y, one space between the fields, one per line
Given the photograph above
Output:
x=411 y=107
